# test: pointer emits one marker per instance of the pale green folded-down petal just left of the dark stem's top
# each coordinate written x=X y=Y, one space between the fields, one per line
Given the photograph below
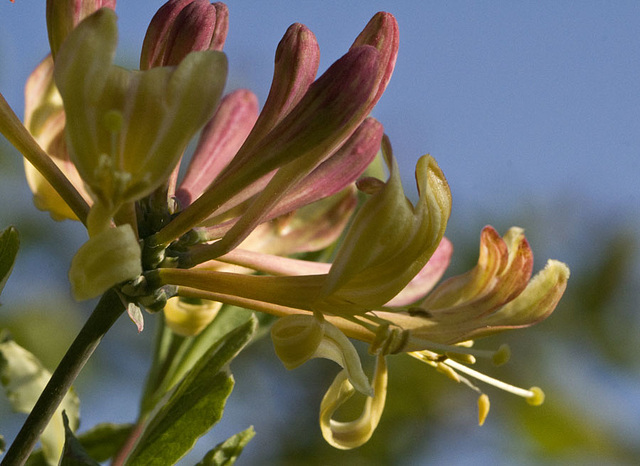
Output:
x=108 y=258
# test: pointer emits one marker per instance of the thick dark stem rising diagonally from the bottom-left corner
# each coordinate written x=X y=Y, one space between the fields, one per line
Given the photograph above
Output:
x=103 y=317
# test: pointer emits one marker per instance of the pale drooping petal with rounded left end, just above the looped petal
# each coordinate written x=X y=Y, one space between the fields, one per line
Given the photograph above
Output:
x=298 y=338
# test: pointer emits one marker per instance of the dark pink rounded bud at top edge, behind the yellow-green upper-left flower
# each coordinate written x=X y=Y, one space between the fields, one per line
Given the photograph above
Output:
x=183 y=26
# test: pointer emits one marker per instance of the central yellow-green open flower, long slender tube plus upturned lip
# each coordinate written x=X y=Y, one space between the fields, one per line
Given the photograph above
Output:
x=350 y=287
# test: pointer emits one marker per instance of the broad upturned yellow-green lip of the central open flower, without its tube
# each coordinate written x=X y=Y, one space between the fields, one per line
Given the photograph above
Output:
x=390 y=240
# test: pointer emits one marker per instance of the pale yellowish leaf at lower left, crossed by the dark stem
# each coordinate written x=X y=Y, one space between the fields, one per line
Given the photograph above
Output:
x=24 y=378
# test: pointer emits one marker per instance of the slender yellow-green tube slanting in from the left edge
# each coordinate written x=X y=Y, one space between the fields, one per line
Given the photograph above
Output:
x=15 y=132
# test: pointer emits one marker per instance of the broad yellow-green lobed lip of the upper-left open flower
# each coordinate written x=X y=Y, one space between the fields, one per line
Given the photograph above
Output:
x=126 y=130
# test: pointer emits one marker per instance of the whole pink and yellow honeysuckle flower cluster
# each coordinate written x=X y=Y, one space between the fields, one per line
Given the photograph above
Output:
x=262 y=188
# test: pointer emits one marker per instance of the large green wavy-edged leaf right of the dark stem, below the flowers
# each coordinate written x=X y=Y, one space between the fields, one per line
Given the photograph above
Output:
x=195 y=405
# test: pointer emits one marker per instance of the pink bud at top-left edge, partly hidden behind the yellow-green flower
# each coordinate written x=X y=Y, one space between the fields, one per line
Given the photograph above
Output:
x=64 y=15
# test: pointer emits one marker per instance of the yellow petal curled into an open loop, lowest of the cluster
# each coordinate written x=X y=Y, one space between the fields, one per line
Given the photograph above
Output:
x=348 y=435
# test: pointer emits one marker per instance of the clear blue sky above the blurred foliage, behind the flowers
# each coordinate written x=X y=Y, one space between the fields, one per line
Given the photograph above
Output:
x=516 y=100
